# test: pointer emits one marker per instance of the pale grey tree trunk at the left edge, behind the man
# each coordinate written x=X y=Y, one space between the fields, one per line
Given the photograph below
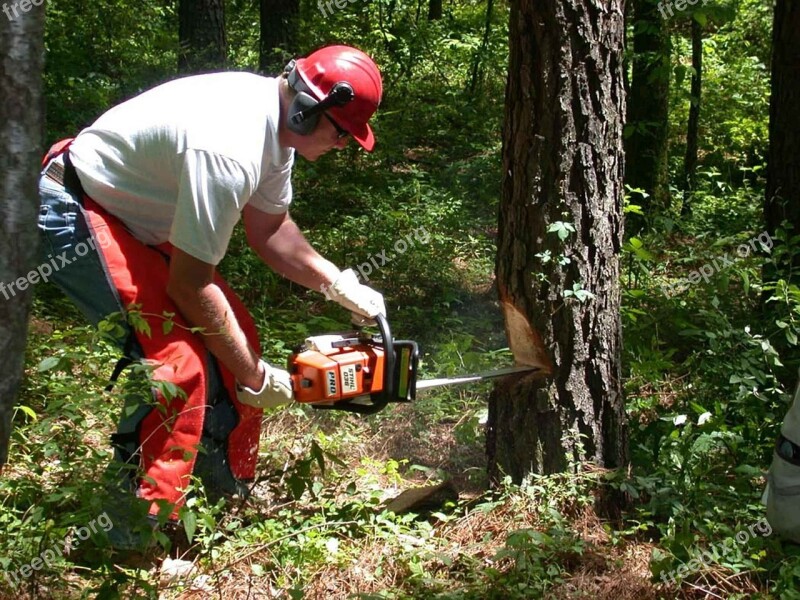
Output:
x=21 y=131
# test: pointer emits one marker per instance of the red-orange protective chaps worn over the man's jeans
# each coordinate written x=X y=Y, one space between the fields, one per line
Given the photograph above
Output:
x=164 y=439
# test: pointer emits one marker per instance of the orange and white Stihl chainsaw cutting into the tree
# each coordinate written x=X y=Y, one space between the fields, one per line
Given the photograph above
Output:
x=362 y=373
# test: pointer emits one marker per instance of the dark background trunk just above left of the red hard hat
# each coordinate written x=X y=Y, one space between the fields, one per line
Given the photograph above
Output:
x=278 y=34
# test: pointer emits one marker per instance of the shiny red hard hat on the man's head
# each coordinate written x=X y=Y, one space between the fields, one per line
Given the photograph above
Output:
x=326 y=67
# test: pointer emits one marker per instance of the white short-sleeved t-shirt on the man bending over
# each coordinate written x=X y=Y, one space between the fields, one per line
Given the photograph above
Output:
x=179 y=162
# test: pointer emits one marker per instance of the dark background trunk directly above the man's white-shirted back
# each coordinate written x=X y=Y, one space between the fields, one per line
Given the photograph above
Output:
x=201 y=31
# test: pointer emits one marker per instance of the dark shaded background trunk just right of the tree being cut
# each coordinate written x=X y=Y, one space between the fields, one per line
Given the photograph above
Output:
x=646 y=146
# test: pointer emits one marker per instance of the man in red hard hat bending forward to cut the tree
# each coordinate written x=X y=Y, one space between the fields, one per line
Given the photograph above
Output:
x=156 y=186
